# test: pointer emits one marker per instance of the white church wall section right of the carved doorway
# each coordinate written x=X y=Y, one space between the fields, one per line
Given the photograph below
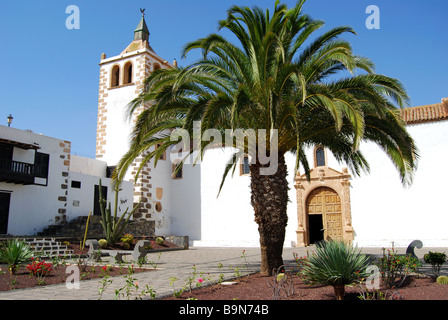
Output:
x=384 y=211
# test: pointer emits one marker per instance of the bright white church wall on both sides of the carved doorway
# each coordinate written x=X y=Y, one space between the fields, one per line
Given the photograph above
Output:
x=382 y=209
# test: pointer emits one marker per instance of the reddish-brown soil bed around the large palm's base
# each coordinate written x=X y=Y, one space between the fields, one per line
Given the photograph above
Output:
x=257 y=287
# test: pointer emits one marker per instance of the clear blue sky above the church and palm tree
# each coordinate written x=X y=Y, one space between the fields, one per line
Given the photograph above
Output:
x=50 y=74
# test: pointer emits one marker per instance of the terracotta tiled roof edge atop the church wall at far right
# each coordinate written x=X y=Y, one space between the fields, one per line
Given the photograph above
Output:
x=427 y=113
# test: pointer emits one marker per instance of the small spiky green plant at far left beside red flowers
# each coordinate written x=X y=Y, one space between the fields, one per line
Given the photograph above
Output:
x=15 y=252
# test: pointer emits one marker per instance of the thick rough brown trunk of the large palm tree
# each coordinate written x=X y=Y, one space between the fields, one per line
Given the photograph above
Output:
x=269 y=200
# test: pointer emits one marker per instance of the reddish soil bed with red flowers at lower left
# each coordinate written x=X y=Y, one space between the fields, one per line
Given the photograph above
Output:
x=23 y=279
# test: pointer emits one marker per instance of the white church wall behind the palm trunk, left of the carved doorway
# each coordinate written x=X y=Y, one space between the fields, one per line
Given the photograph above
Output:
x=228 y=219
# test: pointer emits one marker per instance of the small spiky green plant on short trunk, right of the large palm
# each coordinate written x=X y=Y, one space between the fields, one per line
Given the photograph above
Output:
x=337 y=264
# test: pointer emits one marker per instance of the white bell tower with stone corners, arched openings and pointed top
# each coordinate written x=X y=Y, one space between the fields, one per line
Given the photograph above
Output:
x=121 y=80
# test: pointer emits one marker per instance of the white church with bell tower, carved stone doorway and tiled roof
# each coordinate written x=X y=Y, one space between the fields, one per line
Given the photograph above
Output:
x=372 y=210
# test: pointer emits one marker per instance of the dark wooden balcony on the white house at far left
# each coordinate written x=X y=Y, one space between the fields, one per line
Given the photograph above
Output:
x=16 y=172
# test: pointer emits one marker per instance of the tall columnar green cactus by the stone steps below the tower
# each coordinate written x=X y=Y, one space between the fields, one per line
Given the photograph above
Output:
x=112 y=226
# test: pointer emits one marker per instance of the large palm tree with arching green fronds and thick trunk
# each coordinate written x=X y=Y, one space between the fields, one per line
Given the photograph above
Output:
x=278 y=79
